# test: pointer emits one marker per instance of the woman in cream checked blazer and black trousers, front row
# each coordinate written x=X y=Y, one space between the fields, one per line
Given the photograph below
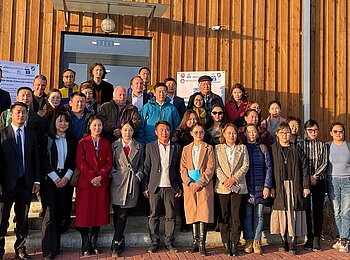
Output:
x=231 y=167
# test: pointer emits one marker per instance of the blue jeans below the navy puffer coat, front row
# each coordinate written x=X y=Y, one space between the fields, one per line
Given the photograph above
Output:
x=253 y=221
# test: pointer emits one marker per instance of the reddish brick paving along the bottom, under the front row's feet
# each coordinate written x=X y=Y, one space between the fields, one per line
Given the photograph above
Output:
x=270 y=252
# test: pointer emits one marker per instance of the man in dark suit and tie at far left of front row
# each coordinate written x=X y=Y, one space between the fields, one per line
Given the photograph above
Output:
x=19 y=176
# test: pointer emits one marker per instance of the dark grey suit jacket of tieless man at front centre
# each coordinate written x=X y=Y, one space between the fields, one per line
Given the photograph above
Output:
x=152 y=167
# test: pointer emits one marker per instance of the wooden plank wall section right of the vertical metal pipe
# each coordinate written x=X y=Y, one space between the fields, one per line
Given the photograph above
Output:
x=330 y=61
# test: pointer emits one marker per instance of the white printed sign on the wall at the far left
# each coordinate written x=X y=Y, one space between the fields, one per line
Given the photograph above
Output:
x=17 y=74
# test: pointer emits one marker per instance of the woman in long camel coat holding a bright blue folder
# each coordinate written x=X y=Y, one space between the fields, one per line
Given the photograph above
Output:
x=197 y=170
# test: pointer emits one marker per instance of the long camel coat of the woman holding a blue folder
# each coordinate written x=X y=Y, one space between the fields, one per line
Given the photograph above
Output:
x=199 y=206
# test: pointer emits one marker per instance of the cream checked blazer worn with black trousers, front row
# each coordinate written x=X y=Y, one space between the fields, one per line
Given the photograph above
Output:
x=240 y=168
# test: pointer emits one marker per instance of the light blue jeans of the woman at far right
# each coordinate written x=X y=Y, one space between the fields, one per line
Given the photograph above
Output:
x=339 y=195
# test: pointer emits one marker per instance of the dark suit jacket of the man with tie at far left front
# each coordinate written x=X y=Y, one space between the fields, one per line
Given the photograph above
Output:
x=9 y=158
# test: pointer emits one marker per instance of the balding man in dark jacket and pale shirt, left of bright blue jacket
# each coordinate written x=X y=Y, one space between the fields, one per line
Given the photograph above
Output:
x=137 y=97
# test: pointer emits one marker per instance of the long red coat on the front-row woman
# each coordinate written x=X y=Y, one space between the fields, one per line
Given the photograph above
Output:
x=92 y=203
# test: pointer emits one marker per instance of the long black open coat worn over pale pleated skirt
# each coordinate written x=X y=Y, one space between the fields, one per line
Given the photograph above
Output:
x=298 y=171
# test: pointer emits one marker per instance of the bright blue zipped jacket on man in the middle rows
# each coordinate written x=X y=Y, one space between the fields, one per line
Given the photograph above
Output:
x=151 y=113
